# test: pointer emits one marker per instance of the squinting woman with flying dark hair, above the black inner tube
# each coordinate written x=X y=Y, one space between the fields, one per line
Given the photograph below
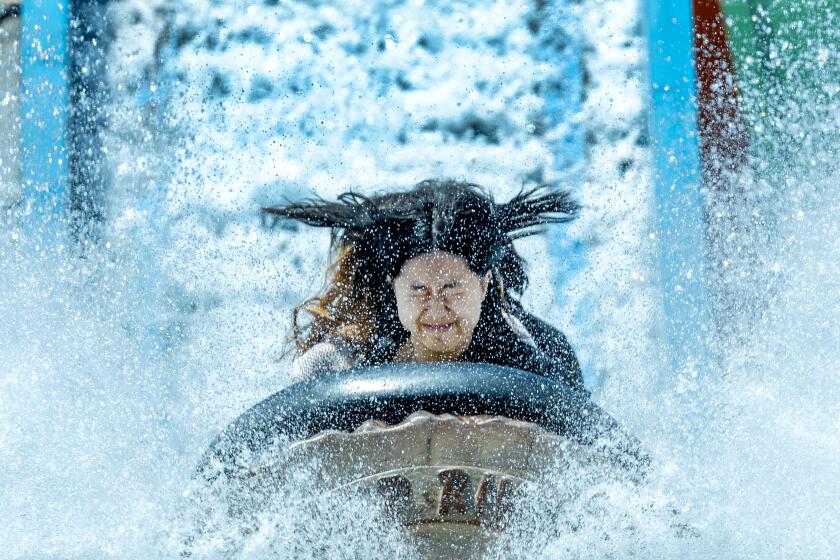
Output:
x=430 y=275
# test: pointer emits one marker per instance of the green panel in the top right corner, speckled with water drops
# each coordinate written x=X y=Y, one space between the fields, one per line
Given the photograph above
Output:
x=788 y=73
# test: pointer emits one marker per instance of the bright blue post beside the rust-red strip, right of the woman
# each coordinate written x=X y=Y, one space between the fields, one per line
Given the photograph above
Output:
x=681 y=226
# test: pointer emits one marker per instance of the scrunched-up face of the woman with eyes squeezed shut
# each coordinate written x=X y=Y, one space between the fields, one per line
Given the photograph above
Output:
x=439 y=303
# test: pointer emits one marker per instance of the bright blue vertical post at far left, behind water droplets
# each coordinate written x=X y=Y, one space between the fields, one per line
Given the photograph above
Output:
x=46 y=99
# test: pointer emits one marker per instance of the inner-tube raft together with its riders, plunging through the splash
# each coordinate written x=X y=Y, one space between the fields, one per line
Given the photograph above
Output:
x=423 y=277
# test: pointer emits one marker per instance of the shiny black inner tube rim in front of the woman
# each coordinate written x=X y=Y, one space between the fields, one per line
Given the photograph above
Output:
x=390 y=393
